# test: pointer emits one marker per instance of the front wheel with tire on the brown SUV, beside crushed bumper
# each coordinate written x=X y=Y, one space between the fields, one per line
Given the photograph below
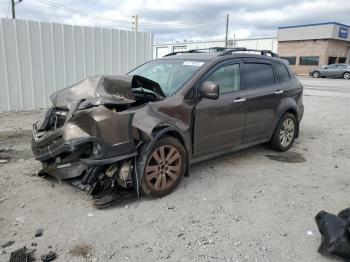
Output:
x=165 y=167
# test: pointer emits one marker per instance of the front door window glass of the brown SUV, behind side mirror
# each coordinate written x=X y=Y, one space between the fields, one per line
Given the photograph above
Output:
x=228 y=78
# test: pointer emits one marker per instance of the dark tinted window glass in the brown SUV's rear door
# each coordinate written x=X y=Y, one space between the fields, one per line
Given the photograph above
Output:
x=258 y=75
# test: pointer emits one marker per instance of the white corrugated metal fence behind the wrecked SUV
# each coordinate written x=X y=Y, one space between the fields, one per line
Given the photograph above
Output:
x=38 y=58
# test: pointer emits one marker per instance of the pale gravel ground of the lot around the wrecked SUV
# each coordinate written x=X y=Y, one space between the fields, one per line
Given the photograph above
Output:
x=254 y=205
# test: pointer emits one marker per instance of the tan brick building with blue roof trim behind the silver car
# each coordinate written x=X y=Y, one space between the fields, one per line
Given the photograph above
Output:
x=313 y=45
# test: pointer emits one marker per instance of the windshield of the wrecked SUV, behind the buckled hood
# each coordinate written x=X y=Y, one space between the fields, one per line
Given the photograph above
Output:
x=171 y=75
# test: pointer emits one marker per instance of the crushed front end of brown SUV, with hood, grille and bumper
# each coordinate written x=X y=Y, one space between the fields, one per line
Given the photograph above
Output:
x=87 y=138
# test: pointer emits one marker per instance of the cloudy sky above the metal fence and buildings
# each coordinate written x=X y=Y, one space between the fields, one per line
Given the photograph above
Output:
x=179 y=20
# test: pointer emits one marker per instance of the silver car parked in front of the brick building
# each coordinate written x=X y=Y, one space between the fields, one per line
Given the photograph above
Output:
x=333 y=70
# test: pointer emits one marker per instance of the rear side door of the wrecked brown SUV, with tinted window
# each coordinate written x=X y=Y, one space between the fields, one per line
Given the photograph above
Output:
x=263 y=96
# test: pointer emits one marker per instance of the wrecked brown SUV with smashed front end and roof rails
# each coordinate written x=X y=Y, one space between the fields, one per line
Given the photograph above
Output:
x=112 y=135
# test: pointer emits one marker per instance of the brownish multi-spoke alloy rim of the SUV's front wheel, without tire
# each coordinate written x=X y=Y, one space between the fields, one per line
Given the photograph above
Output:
x=163 y=167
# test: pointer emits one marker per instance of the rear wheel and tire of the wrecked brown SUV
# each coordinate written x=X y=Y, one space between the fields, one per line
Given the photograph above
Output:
x=284 y=134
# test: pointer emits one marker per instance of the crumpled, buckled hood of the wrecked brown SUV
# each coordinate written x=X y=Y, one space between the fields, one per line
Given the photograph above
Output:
x=104 y=88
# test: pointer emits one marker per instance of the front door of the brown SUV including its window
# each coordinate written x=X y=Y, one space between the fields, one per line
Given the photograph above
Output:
x=219 y=124
